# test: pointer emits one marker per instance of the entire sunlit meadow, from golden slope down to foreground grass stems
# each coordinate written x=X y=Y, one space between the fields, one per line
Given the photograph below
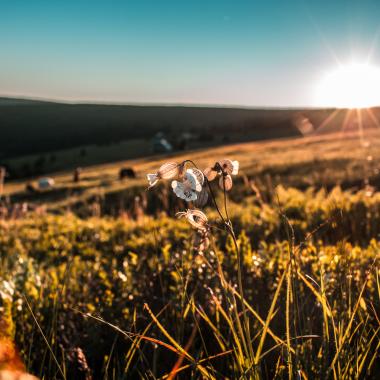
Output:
x=100 y=280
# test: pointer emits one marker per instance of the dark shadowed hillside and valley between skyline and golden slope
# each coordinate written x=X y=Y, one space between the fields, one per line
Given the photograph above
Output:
x=62 y=136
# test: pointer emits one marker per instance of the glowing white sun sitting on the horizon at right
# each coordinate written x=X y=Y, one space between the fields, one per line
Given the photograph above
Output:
x=350 y=86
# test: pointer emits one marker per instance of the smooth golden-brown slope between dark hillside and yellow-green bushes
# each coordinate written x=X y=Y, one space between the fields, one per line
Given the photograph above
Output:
x=343 y=159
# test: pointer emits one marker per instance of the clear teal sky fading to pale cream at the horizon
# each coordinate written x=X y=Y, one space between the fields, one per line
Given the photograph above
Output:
x=211 y=52
